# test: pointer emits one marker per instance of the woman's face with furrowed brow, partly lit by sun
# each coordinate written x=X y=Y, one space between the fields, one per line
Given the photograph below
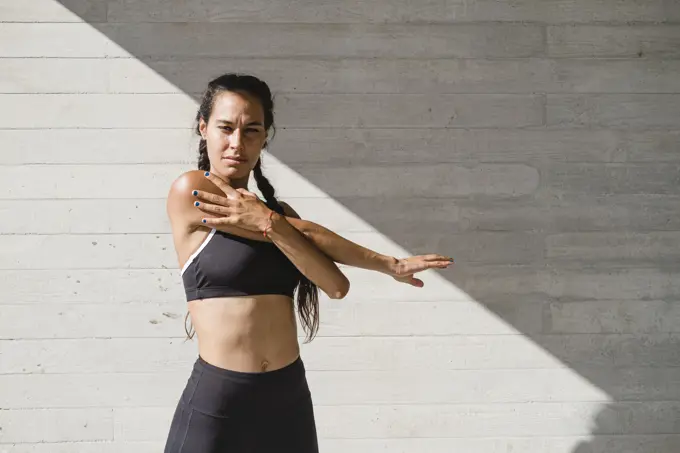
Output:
x=235 y=134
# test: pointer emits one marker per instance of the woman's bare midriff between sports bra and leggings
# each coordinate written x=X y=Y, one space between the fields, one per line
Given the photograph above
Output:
x=247 y=334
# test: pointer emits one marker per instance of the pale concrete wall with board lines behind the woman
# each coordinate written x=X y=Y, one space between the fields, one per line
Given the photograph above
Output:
x=537 y=142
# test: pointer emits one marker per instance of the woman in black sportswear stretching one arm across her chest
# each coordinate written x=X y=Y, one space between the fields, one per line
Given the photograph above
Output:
x=242 y=260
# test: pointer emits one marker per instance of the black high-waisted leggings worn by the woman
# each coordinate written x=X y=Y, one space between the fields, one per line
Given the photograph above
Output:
x=225 y=411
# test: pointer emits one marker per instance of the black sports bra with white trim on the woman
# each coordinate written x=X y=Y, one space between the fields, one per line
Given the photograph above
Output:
x=230 y=265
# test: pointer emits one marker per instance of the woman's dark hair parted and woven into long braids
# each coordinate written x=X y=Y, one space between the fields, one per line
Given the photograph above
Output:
x=307 y=292
